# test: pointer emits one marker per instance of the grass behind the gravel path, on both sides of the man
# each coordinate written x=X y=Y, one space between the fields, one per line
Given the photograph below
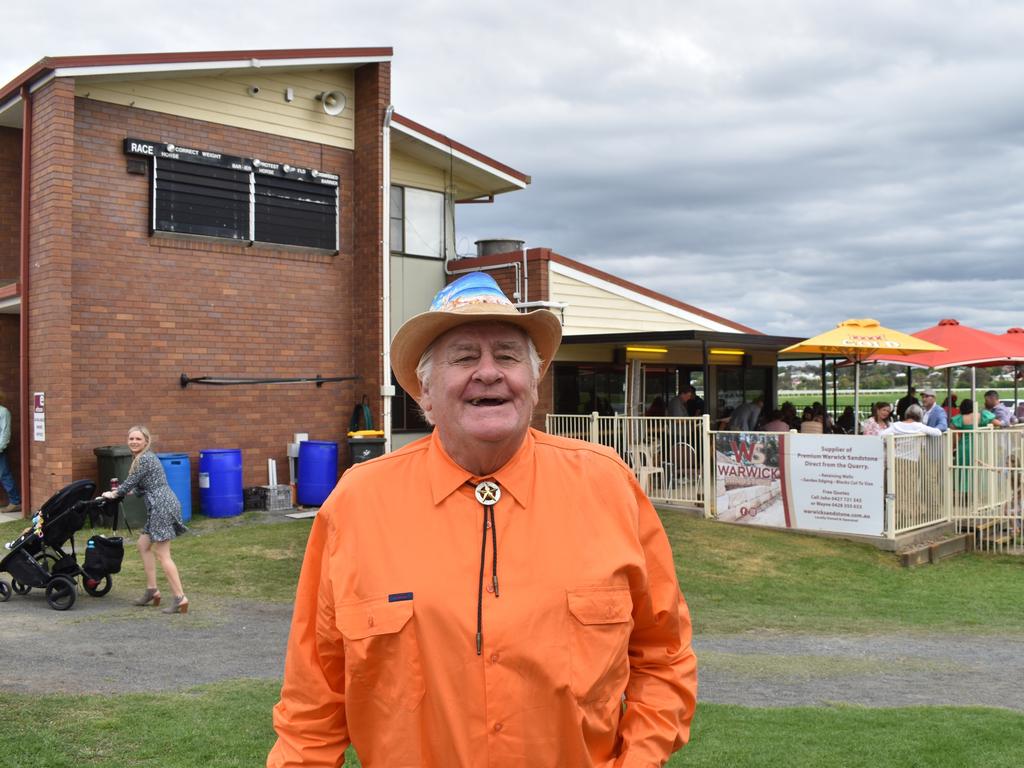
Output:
x=736 y=578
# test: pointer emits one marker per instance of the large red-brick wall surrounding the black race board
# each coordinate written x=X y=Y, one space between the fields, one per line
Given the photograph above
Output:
x=129 y=314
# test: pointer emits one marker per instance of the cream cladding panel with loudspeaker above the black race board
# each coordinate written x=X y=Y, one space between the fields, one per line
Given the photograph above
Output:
x=225 y=101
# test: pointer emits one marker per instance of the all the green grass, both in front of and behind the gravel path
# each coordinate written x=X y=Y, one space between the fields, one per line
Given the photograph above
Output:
x=737 y=579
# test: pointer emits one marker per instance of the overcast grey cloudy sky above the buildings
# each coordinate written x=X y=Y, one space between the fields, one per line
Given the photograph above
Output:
x=788 y=163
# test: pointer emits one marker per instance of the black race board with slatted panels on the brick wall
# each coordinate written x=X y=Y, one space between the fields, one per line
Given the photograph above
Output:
x=202 y=193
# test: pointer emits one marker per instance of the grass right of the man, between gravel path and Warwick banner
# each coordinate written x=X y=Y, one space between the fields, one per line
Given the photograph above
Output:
x=739 y=579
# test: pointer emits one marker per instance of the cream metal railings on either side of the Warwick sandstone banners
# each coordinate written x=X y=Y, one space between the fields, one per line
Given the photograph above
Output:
x=974 y=480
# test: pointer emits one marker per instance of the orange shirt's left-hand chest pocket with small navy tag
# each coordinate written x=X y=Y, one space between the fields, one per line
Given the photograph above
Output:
x=382 y=656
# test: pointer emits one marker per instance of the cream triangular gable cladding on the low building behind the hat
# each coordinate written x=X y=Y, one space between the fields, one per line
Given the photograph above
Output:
x=592 y=311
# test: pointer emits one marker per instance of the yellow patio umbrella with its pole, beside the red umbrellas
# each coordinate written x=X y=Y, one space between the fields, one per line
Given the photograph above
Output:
x=859 y=339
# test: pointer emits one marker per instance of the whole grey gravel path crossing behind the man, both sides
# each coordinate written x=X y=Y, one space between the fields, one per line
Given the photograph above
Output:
x=114 y=647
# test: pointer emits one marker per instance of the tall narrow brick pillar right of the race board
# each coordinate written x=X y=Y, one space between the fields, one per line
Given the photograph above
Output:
x=373 y=95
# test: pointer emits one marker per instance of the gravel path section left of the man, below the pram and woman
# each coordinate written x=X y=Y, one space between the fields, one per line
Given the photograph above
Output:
x=114 y=647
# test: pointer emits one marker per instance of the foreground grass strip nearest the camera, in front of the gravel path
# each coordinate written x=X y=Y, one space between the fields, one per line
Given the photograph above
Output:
x=229 y=726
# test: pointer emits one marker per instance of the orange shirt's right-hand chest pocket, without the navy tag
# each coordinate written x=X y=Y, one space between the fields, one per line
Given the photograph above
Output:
x=601 y=625
